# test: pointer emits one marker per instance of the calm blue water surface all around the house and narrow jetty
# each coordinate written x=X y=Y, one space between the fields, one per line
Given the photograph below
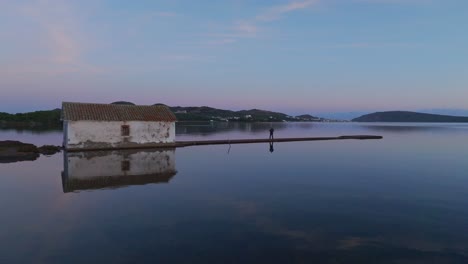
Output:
x=403 y=199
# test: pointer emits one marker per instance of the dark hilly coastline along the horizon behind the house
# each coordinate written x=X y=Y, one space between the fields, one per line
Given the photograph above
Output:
x=50 y=119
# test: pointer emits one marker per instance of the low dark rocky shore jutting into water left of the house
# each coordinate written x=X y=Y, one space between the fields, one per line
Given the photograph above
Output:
x=14 y=151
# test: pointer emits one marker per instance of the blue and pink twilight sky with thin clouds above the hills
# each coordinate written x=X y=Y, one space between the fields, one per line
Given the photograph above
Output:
x=302 y=56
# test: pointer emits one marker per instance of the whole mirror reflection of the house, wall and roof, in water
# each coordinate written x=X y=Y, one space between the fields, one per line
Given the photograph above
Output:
x=115 y=169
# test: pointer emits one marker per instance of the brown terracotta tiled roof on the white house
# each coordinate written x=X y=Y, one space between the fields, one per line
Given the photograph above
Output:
x=116 y=112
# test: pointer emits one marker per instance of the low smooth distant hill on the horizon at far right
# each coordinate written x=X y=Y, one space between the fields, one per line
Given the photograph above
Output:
x=405 y=116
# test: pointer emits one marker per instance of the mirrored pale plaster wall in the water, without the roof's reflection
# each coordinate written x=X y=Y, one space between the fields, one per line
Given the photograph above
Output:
x=82 y=165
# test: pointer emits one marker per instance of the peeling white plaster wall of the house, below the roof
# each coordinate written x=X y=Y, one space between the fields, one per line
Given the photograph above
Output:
x=101 y=134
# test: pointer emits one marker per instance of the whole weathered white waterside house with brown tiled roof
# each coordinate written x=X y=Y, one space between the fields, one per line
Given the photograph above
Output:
x=112 y=126
